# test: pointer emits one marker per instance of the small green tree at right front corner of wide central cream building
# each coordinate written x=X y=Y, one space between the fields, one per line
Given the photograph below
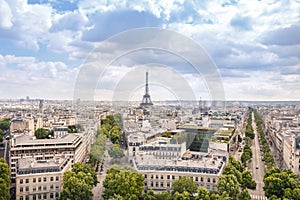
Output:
x=229 y=184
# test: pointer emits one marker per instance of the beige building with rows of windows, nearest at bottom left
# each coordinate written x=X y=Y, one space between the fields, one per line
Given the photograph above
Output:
x=40 y=179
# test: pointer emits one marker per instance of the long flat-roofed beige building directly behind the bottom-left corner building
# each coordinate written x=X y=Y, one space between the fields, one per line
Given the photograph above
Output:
x=24 y=146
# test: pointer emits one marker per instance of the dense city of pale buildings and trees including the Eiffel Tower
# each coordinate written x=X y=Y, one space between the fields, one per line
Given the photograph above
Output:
x=162 y=150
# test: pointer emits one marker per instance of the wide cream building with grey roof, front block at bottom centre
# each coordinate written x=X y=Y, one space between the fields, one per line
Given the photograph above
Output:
x=160 y=173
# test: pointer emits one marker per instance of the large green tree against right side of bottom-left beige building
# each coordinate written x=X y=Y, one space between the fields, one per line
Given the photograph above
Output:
x=78 y=183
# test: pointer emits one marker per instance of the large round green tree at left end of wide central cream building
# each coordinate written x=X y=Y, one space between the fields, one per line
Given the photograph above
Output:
x=125 y=182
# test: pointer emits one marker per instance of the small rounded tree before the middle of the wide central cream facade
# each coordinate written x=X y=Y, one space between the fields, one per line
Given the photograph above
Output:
x=184 y=183
